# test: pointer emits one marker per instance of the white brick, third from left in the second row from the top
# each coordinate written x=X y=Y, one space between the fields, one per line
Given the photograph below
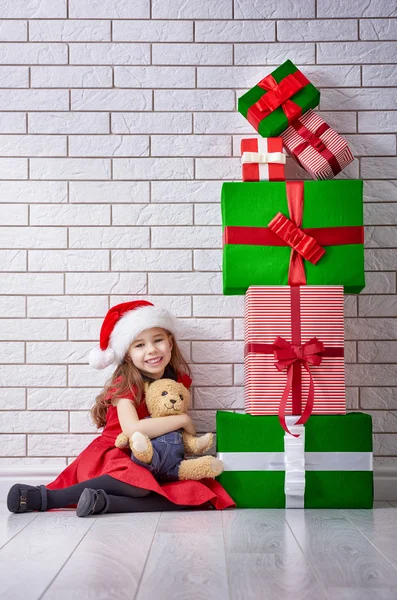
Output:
x=153 y=31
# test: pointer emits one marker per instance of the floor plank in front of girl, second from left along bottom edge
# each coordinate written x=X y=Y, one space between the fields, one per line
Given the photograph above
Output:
x=109 y=561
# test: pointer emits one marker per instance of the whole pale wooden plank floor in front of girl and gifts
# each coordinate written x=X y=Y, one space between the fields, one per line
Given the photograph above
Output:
x=237 y=555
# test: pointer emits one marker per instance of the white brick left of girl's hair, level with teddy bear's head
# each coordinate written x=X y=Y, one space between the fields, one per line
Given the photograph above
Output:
x=60 y=398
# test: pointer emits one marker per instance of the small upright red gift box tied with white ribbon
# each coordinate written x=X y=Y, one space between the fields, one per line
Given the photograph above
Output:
x=262 y=159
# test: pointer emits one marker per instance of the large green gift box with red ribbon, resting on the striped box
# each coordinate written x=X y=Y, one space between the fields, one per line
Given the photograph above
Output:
x=293 y=233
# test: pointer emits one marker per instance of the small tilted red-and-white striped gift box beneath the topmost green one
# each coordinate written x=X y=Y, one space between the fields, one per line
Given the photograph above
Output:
x=317 y=147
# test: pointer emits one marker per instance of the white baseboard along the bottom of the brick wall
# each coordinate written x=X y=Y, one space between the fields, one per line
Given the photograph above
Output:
x=385 y=479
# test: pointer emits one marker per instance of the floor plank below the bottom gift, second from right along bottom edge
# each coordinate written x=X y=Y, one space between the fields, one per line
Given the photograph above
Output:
x=264 y=560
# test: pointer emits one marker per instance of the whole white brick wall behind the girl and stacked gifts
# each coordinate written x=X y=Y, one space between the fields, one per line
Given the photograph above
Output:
x=118 y=124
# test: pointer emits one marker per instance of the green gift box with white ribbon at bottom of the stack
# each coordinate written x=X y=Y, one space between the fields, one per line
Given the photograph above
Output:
x=337 y=467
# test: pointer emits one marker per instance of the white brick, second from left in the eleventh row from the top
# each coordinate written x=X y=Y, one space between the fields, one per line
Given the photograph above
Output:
x=109 y=237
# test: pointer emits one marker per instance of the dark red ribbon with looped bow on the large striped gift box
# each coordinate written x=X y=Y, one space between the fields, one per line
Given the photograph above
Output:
x=291 y=356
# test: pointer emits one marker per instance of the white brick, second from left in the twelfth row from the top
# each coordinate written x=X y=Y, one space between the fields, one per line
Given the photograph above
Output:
x=68 y=260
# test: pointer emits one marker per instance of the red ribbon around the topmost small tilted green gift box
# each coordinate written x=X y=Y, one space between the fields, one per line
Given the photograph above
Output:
x=278 y=94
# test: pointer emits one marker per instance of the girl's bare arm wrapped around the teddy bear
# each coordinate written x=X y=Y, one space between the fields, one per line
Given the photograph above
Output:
x=130 y=422
